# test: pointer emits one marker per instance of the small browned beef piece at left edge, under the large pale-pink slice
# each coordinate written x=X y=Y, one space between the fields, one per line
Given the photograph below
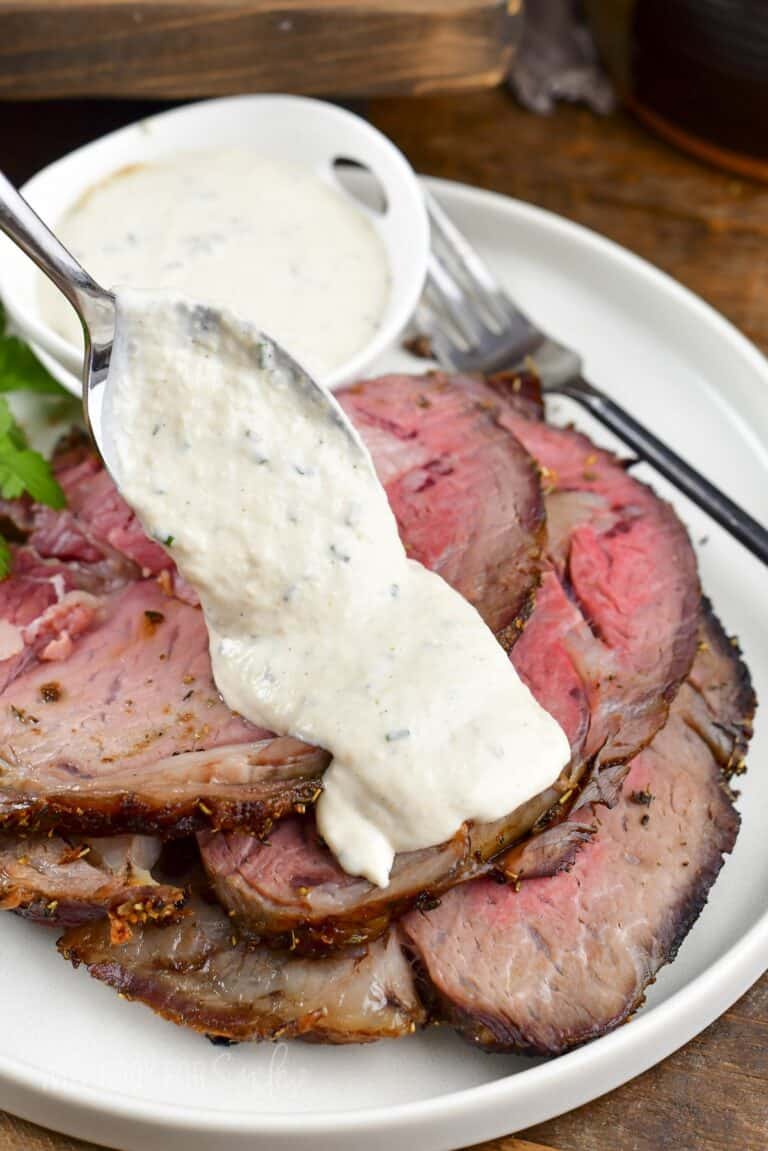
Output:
x=64 y=883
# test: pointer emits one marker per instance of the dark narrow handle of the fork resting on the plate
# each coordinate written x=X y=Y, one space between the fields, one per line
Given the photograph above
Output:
x=747 y=530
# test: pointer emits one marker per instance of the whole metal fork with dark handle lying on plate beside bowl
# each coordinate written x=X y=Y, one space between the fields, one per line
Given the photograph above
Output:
x=474 y=326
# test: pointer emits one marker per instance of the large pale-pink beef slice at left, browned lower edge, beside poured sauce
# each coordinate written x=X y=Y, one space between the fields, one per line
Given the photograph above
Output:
x=130 y=734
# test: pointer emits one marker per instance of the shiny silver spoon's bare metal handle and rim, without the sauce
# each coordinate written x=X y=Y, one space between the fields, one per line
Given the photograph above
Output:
x=95 y=307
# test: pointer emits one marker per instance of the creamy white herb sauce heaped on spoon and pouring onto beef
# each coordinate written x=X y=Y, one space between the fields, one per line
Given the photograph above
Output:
x=321 y=627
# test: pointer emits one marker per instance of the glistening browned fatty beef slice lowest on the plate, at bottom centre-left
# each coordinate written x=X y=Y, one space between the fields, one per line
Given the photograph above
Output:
x=196 y=973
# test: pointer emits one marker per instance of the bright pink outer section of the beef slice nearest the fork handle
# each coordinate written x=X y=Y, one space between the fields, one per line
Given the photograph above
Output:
x=627 y=562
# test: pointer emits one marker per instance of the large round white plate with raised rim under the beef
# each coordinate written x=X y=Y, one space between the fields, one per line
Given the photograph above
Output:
x=75 y=1057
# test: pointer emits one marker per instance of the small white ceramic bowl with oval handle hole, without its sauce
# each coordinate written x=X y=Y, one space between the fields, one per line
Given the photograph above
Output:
x=286 y=128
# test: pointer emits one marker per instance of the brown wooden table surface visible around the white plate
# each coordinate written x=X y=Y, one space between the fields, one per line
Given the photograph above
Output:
x=711 y=232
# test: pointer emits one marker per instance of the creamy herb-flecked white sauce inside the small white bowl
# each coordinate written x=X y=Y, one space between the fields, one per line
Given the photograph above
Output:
x=276 y=243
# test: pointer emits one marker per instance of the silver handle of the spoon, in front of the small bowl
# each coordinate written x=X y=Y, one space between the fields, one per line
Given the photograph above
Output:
x=22 y=225
